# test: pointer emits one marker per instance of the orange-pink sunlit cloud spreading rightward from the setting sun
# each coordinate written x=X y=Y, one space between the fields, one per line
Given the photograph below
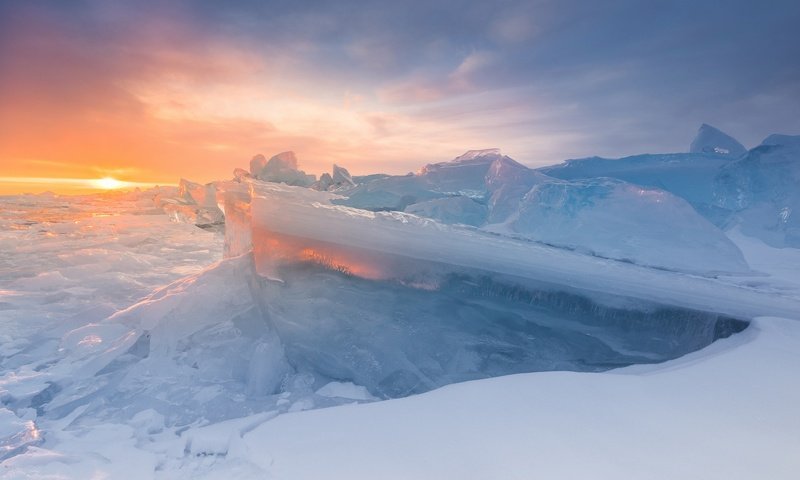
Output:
x=161 y=101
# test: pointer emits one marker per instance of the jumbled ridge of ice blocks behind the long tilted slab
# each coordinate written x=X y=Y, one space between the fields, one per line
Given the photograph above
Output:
x=632 y=209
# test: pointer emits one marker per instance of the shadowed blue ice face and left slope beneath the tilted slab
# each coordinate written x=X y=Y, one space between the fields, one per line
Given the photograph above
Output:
x=228 y=333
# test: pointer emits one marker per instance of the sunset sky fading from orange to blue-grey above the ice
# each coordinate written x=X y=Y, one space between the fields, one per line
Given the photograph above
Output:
x=151 y=91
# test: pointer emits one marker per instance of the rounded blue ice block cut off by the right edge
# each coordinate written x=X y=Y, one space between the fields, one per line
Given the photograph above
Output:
x=761 y=191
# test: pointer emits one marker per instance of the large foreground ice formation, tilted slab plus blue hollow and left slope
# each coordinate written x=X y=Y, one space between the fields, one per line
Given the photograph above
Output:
x=393 y=303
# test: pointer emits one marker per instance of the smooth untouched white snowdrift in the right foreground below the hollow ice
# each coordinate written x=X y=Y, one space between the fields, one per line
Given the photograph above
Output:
x=713 y=414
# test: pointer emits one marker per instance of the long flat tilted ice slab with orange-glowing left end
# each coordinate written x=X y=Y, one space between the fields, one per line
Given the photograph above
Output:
x=386 y=245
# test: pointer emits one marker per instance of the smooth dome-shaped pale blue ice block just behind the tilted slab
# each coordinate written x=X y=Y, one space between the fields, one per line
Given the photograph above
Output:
x=615 y=219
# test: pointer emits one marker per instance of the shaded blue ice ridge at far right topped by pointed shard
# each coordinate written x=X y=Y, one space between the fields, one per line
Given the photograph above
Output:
x=756 y=189
